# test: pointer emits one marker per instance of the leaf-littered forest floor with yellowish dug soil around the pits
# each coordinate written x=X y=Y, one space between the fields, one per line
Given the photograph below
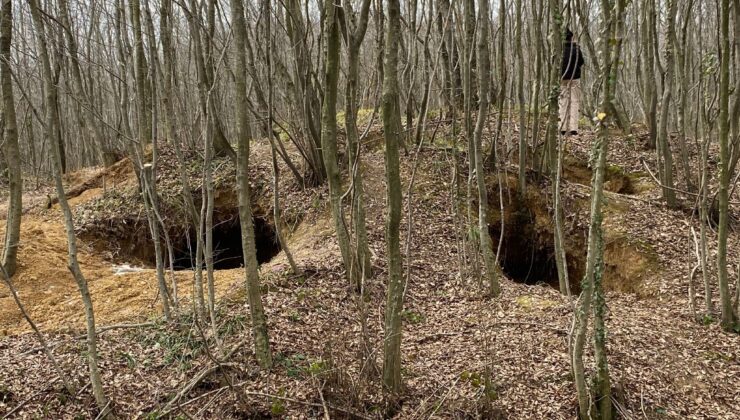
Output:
x=663 y=363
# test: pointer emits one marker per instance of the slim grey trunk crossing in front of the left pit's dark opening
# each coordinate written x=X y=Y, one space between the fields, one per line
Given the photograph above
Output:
x=259 y=321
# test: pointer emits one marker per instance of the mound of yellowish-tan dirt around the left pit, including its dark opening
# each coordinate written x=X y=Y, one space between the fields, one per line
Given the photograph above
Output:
x=112 y=229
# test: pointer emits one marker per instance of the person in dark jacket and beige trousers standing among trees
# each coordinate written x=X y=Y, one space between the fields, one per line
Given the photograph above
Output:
x=570 y=85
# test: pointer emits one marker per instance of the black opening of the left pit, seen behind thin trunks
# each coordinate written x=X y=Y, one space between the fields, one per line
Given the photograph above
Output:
x=227 y=245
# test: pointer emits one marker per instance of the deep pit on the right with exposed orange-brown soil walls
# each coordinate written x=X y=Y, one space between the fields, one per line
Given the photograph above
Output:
x=527 y=243
